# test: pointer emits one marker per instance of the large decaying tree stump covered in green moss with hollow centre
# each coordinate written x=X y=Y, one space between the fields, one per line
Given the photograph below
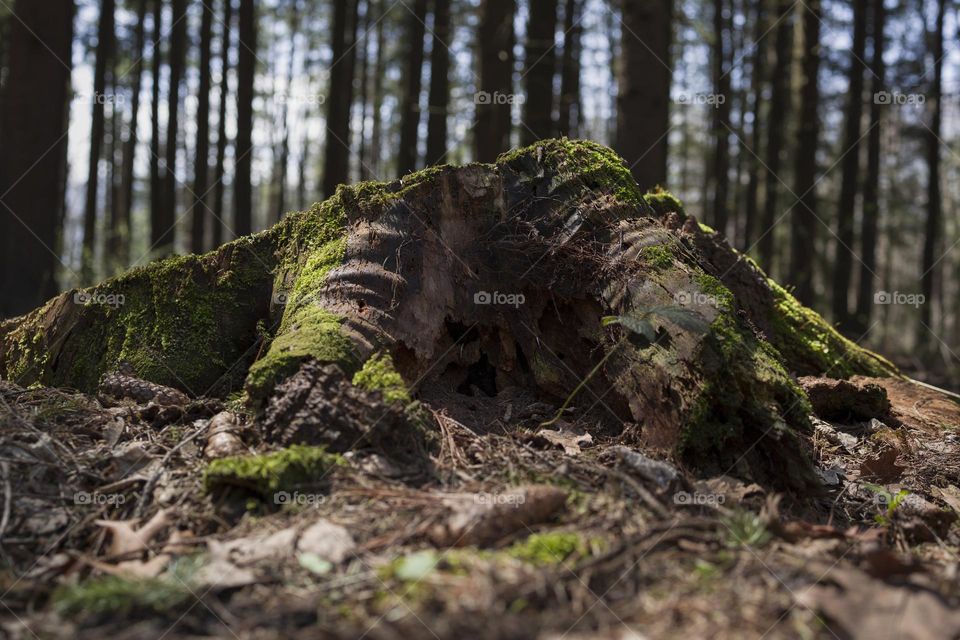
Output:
x=468 y=282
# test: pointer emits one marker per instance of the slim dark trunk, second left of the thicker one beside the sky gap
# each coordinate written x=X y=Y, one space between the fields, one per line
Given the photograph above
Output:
x=201 y=163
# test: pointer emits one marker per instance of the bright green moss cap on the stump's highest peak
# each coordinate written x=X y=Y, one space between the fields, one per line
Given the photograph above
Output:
x=594 y=165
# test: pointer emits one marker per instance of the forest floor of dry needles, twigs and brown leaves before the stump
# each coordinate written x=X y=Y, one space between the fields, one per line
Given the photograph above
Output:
x=112 y=528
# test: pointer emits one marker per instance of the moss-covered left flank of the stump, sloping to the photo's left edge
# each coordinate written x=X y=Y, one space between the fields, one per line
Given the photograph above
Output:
x=187 y=322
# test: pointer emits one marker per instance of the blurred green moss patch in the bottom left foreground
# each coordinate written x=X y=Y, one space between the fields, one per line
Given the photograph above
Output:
x=119 y=596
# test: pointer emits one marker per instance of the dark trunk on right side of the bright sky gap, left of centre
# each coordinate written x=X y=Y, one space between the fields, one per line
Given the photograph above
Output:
x=336 y=163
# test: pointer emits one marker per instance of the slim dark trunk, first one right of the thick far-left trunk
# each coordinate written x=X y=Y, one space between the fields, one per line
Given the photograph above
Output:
x=104 y=54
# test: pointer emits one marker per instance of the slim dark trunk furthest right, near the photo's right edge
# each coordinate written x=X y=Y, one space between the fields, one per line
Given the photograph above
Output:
x=934 y=139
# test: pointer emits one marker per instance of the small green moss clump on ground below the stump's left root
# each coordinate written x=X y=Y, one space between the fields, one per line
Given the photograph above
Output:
x=289 y=469
